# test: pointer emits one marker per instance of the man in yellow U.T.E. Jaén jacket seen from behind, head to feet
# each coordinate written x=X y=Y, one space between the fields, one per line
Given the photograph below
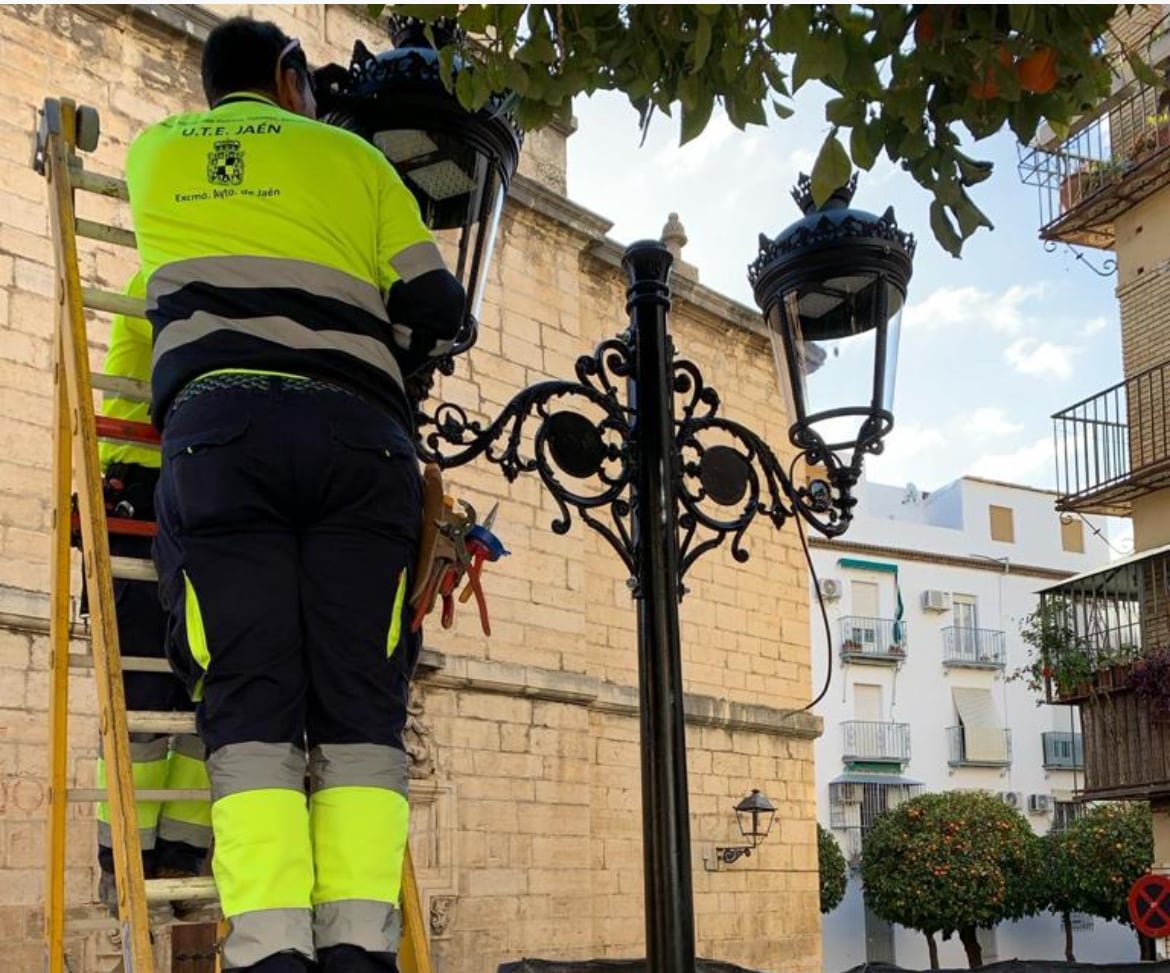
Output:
x=288 y=273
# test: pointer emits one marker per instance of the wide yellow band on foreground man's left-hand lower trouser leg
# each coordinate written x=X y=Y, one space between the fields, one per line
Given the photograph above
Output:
x=264 y=859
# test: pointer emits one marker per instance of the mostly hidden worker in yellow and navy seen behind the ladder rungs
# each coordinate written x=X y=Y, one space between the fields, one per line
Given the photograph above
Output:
x=175 y=836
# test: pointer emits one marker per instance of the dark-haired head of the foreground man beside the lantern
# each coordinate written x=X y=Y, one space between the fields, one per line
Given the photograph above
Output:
x=251 y=56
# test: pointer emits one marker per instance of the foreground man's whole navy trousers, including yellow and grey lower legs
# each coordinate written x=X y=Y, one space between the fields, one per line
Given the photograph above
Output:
x=290 y=517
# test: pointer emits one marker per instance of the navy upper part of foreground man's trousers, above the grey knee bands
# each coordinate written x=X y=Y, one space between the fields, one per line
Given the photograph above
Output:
x=291 y=514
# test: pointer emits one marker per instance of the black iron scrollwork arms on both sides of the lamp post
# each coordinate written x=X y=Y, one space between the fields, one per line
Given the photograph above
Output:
x=581 y=439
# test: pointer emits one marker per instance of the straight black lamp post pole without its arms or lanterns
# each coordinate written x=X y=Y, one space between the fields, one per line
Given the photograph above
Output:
x=666 y=820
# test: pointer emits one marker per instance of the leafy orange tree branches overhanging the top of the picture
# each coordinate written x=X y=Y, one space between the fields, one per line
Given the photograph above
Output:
x=914 y=82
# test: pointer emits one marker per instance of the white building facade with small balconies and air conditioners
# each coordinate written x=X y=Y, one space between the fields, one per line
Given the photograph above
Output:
x=926 y=596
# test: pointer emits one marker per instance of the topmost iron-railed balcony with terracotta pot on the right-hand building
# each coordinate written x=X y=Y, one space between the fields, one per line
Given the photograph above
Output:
x=1109 y=163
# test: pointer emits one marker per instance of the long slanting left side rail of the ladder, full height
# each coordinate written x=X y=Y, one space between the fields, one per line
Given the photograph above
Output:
x=136 y=939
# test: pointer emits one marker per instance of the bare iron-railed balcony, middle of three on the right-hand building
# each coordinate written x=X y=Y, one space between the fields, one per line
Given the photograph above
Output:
x=1116 y=446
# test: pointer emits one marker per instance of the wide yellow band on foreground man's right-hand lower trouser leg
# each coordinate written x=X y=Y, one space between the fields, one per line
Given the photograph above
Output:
x=359 y=844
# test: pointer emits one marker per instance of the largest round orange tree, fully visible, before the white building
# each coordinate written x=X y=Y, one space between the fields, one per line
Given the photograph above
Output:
x=951 y=864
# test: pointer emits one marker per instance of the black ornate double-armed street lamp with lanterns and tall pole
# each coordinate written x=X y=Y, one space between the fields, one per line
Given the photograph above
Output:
x=636 y=445
